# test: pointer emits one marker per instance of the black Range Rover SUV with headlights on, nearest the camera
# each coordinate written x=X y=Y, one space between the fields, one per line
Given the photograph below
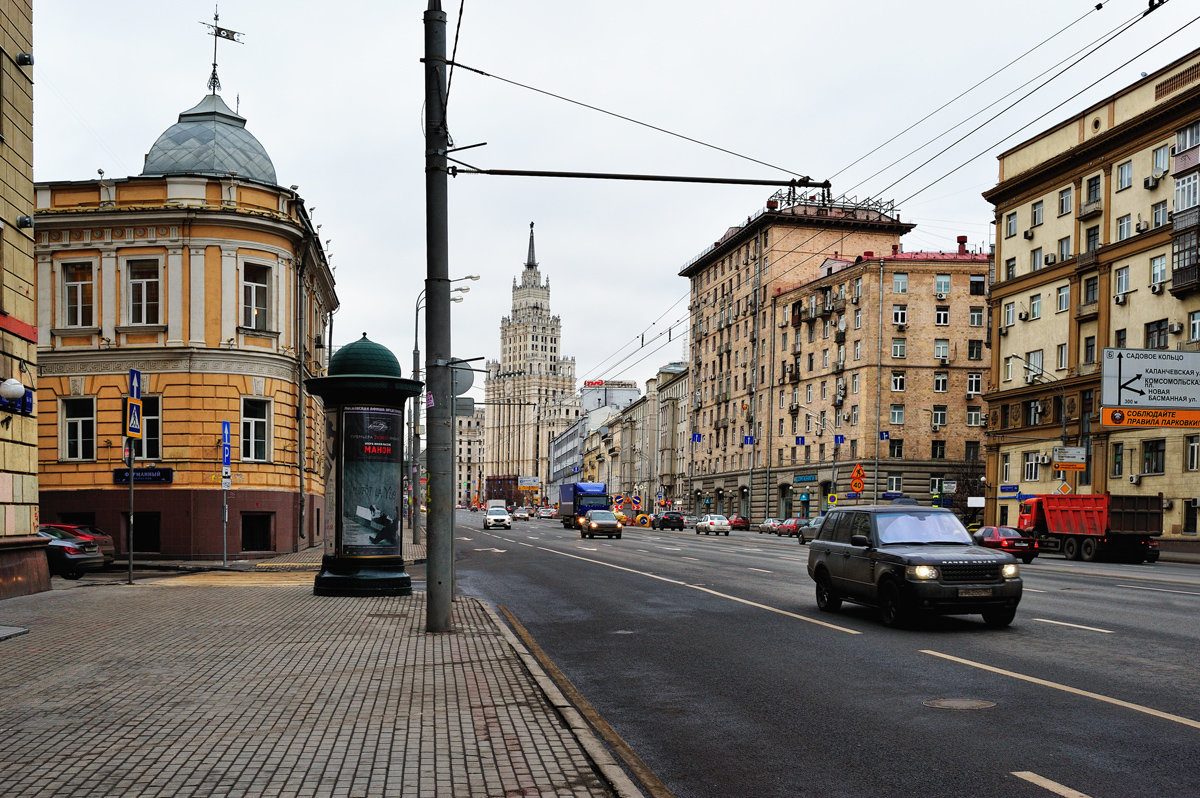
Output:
x=909 y=560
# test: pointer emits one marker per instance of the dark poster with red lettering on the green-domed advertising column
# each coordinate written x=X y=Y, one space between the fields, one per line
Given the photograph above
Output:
x=373 y=472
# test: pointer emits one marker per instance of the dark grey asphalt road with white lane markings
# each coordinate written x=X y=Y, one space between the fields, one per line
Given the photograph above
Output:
x=710 y=658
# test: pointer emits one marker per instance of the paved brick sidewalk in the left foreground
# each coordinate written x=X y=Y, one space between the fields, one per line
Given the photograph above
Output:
x=247 y=685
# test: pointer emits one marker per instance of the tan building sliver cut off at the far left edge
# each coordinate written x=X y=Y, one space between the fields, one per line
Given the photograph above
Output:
x=22 y=557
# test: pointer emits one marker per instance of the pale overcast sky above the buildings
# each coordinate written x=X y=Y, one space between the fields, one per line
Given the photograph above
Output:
x=335 y=93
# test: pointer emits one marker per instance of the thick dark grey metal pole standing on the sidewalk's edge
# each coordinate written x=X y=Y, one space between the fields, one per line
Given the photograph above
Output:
x=440 y=591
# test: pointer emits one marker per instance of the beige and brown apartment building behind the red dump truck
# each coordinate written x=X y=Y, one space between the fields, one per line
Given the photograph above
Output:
x=1099 y=225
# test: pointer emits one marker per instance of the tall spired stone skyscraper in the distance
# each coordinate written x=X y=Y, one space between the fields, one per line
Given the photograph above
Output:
x=530 y=393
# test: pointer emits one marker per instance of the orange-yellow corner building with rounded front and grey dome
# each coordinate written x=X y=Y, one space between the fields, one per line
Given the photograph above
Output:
x=208 y=278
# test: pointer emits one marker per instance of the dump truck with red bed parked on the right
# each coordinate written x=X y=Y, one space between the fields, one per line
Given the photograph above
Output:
x=1095 y=526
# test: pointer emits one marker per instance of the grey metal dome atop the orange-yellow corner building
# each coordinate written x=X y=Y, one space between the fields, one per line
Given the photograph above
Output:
x=211 y=140
